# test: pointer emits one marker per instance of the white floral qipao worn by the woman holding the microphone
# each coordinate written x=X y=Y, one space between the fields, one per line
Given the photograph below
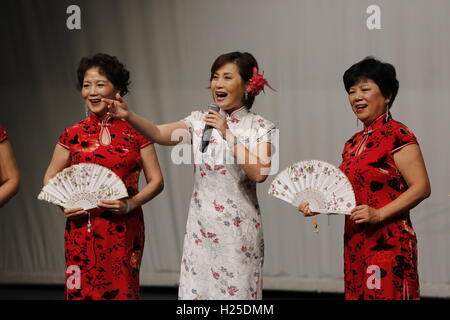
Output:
x=223 y=246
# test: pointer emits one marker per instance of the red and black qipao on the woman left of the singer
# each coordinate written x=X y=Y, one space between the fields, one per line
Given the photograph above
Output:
x=109 y=256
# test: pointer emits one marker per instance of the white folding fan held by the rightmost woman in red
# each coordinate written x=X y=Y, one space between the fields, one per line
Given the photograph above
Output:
x=324 y=186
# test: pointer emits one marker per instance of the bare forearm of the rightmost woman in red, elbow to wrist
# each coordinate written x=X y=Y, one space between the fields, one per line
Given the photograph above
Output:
x=406 y=201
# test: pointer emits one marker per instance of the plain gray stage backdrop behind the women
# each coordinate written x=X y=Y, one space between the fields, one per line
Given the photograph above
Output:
x=304 y=46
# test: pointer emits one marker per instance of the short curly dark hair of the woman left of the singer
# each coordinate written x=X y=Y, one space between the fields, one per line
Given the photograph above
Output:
x=109 y=66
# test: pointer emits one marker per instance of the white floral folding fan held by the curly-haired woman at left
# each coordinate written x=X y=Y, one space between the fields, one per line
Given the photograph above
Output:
x=83 y=186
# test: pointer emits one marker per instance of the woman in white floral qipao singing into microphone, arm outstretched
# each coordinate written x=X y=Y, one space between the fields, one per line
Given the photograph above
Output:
x=223 y=247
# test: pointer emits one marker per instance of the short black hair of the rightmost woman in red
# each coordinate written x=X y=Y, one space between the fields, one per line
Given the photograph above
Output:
x=382 y=73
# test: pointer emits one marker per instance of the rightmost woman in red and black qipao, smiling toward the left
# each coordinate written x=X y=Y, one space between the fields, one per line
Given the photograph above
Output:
x=387 y=171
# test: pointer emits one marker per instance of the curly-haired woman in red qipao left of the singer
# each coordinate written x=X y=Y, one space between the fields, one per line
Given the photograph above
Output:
x=103 y=260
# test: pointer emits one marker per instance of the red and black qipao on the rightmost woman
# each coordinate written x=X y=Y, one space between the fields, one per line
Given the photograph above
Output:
x=380 y=261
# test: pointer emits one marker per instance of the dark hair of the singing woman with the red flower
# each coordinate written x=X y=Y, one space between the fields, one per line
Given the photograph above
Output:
x=245 y=62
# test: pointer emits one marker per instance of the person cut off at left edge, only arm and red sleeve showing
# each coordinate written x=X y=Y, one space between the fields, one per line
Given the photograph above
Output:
x=9 y=174
